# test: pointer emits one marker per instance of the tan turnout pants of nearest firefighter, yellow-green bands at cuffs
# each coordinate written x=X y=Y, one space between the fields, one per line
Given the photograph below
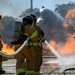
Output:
x=25 y=61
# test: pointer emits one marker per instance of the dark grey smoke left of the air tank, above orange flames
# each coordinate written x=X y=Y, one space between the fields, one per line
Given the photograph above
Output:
x=7 y=27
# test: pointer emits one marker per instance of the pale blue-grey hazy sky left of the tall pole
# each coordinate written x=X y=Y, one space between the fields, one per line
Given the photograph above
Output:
x=13 y=7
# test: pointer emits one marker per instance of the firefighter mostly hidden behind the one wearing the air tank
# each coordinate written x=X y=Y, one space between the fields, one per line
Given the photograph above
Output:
x=38 y=49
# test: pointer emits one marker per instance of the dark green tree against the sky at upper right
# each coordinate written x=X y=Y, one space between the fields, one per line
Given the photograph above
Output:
x=63 y=9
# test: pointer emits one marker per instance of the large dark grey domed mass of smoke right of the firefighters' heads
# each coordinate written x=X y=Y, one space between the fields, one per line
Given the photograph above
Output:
x=52 y=25
